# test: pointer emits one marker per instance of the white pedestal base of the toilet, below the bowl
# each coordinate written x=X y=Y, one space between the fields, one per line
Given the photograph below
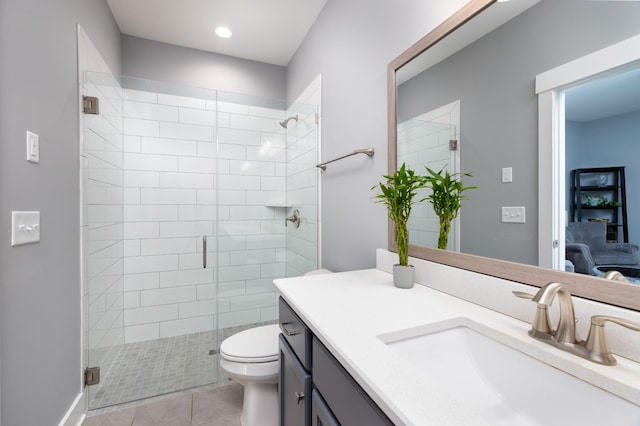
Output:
x=260 y=406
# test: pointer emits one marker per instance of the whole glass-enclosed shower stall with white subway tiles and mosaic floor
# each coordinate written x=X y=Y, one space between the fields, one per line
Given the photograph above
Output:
x=185 y=192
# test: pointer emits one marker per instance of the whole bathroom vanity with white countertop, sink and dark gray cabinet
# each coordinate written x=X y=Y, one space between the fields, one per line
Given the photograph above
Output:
x=353 y=343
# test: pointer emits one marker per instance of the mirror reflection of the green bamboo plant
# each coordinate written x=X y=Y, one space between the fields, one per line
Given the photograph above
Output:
x=446 y=195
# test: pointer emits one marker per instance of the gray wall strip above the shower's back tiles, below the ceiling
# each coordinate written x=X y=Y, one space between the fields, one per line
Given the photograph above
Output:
x=182 y=66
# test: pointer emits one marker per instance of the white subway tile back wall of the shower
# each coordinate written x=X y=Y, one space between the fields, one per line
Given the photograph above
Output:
x=195 y=167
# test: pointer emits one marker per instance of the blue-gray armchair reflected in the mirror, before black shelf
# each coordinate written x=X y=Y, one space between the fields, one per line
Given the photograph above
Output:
x=587 y=248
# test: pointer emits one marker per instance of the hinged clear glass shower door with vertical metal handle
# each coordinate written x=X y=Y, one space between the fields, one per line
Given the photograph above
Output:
x=166 y=309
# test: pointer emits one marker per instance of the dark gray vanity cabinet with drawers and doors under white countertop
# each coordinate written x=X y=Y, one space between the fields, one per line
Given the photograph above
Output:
x=331 y=397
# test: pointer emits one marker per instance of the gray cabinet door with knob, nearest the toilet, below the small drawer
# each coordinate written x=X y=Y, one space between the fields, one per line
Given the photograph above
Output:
x=294 y=389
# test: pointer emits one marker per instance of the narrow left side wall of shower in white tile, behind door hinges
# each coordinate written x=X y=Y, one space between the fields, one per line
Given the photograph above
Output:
x=102 y=224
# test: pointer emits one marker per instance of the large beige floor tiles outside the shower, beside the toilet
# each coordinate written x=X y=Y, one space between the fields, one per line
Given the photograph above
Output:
x=212 y=405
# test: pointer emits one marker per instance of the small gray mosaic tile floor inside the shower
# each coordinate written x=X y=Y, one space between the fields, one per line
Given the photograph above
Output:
x=156 y=367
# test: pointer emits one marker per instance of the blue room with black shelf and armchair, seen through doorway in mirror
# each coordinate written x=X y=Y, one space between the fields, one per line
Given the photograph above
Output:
x=601 y=133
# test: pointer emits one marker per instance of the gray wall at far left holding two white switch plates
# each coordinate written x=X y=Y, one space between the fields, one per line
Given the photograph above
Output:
x=40 y=283
